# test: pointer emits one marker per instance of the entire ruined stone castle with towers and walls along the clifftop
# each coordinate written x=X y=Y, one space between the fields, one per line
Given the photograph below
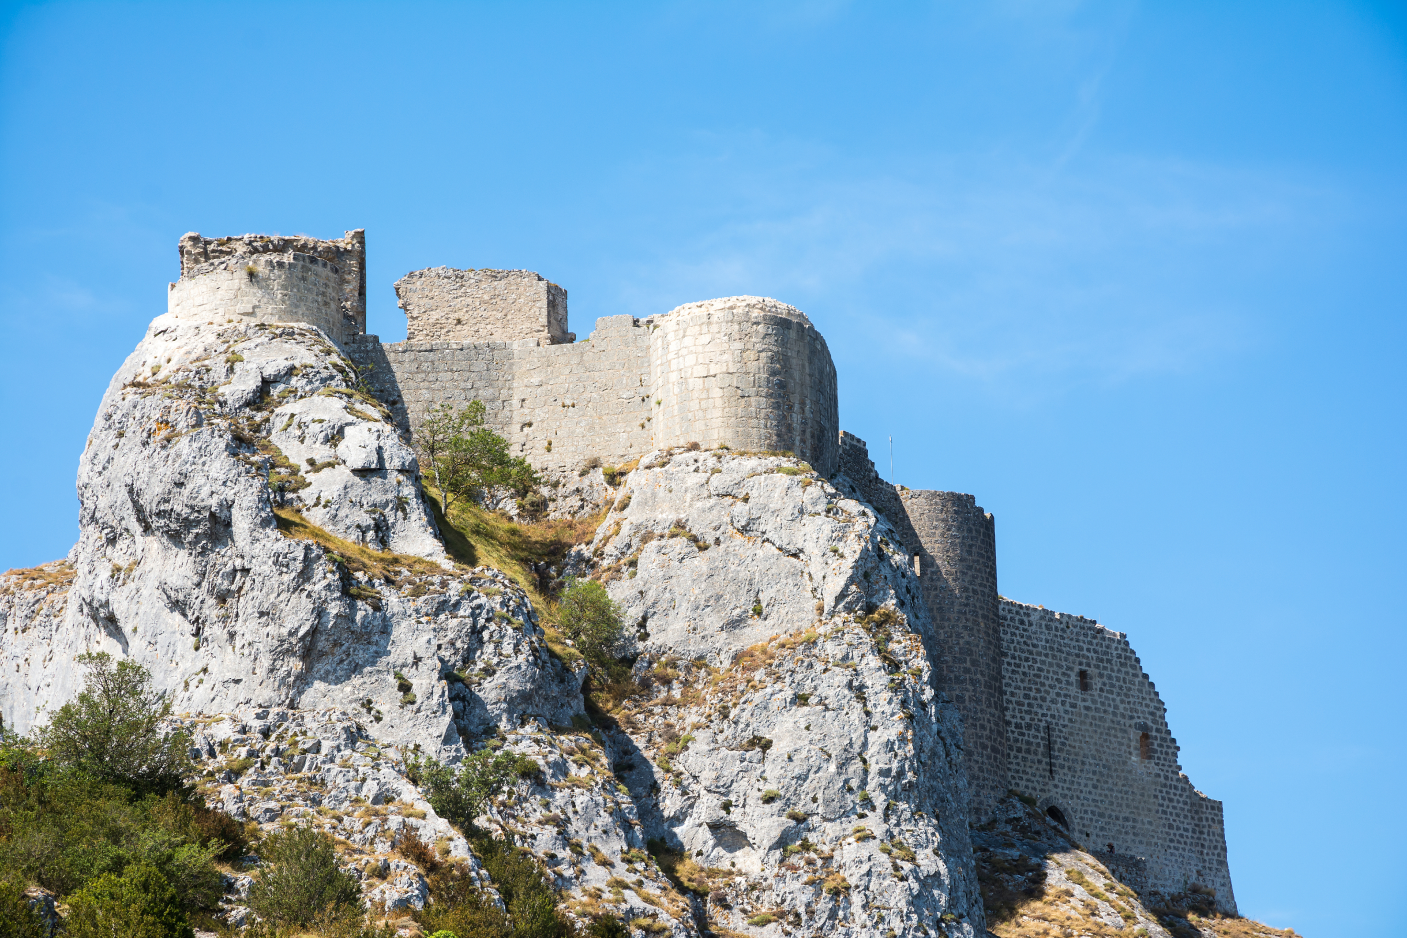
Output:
x=1055 y=707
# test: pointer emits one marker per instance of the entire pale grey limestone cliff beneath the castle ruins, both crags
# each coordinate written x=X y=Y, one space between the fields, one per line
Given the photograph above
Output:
x=254 y=532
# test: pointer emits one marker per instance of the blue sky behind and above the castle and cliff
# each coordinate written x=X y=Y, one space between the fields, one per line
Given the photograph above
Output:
x=1132 y=274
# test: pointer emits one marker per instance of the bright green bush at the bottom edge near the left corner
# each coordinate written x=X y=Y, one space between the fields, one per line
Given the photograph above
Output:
x=140 y=904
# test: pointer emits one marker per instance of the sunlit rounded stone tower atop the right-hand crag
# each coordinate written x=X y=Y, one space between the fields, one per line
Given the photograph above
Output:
x=745 y=372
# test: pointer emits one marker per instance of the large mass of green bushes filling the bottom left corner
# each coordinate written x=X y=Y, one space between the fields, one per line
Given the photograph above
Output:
x=96 y=811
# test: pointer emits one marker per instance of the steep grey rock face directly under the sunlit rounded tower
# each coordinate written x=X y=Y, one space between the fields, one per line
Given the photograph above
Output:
x=796 y=747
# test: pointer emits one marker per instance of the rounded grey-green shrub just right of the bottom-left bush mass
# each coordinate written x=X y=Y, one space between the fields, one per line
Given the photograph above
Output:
x=302 y=880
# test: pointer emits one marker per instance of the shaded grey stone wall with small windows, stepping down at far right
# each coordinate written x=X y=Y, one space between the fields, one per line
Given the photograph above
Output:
x=1081 y=752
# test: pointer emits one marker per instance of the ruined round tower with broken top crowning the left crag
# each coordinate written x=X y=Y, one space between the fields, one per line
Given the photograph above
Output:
x=272 y=279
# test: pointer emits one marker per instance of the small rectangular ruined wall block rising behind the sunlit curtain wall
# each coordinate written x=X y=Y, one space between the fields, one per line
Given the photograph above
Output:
x=444 y=304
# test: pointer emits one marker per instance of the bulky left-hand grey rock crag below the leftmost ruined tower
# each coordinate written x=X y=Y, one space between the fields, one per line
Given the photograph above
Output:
x=182 y=565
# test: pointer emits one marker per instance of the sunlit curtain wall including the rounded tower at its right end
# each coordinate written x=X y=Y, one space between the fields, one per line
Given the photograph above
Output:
x=746 y=372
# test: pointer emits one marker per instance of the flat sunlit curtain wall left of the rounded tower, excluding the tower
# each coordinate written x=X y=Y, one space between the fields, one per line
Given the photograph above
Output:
x=558 y=406
